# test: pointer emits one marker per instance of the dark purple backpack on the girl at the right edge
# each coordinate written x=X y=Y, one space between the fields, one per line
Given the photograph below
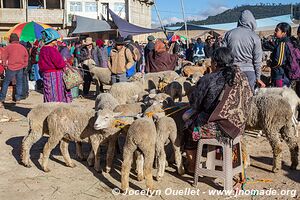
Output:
x=293 y=66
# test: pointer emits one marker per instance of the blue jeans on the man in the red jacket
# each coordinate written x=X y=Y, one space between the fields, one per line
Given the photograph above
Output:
x=9 y=75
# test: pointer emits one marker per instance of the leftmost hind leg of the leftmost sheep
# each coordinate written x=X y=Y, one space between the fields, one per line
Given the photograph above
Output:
x=27 y=143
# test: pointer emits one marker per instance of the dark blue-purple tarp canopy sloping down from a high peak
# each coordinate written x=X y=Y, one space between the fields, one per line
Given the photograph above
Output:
x=125 y=28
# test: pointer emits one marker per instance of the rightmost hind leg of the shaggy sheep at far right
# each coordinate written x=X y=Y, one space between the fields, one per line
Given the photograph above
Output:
x=290 y=139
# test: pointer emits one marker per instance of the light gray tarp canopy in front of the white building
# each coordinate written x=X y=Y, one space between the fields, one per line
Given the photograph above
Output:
x=88 y=25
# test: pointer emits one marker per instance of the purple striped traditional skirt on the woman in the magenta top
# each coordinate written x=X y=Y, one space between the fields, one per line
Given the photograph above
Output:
x=54 y=88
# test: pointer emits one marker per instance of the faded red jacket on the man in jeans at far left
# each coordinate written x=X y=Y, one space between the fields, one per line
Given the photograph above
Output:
x=15 y=56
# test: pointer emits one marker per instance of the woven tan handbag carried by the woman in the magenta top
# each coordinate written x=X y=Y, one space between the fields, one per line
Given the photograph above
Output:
x=72 y=77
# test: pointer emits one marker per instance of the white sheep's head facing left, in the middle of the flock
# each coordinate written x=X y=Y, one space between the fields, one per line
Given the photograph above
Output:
x=105 y=119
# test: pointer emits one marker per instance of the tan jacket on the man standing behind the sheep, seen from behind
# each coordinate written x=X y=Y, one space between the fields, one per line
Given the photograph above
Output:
x=120 y=60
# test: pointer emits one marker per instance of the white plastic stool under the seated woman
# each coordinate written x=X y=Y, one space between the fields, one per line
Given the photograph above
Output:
x=228 y=171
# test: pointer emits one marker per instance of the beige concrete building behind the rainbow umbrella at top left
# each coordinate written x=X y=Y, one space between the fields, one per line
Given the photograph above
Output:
x=13 y=12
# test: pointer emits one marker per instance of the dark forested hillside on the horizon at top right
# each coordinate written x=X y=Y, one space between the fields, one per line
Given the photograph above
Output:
x=260 y=11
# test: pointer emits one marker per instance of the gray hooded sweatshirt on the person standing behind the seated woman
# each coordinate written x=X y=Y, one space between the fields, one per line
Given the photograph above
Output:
x=245 y=44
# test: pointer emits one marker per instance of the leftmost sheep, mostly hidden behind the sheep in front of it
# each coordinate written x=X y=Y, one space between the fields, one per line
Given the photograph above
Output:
x=37 y=128
